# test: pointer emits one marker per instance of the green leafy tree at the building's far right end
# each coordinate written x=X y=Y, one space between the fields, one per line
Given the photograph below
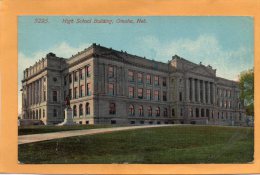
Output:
x=246 y=83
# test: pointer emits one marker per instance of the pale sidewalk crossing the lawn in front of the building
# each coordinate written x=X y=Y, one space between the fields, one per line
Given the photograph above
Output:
x=23 y=139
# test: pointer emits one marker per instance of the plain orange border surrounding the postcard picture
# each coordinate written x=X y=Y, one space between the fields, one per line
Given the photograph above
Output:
x=9 y=12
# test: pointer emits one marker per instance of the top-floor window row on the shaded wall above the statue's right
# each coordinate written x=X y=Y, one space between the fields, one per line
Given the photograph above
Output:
x=79 y=74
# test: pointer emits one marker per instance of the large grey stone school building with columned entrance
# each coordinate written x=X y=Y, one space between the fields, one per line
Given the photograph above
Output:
x=114 y=87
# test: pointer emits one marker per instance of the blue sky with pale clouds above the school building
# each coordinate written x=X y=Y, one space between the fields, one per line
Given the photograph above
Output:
x=226 y=43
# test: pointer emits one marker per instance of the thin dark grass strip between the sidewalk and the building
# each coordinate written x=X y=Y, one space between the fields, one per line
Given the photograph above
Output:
x=26 y=130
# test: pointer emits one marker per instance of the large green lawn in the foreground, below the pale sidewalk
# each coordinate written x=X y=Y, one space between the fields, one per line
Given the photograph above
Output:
x=168 y=145
